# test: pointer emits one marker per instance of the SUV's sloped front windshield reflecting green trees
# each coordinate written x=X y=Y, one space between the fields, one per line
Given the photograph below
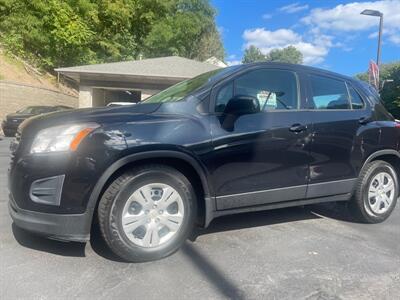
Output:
x=179 y=91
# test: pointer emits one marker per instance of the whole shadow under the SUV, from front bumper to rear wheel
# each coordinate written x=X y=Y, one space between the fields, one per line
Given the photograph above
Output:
x=233 y=222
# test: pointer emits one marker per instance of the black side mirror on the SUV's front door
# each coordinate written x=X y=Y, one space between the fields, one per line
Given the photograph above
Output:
x=238 y=106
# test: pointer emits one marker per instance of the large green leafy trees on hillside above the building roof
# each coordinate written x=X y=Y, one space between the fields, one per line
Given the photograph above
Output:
x=55 y=33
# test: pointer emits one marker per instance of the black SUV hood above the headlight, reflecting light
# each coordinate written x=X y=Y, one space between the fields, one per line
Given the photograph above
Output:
x=101 y=116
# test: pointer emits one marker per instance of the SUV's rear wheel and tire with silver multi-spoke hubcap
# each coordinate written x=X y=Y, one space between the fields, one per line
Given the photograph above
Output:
x=370 y=209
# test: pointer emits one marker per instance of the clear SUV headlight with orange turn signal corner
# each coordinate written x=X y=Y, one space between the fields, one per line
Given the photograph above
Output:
x=61 y=138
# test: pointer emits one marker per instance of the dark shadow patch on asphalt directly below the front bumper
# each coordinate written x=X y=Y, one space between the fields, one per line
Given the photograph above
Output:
x=36 y=242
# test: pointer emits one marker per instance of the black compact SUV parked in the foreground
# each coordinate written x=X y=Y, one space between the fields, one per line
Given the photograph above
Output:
x=245 y=138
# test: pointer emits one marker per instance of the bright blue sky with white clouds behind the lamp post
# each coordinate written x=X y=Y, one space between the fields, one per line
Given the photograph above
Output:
x=331 y=34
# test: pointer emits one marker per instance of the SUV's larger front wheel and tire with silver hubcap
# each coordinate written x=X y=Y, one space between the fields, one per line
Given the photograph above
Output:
x=151 y=182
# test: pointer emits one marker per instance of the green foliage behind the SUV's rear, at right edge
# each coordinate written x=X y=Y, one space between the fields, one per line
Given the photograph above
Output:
x=390 y=93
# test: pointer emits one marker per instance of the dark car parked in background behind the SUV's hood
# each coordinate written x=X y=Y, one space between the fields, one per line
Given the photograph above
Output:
x=12 y=121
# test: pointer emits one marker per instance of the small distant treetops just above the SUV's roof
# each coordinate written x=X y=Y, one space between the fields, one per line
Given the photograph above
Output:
x=287 y=55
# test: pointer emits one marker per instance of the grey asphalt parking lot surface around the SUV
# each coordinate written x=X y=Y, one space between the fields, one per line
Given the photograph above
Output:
x=298 y=253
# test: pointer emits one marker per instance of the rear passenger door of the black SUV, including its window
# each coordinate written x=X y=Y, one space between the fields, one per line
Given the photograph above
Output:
x=337 y=112
